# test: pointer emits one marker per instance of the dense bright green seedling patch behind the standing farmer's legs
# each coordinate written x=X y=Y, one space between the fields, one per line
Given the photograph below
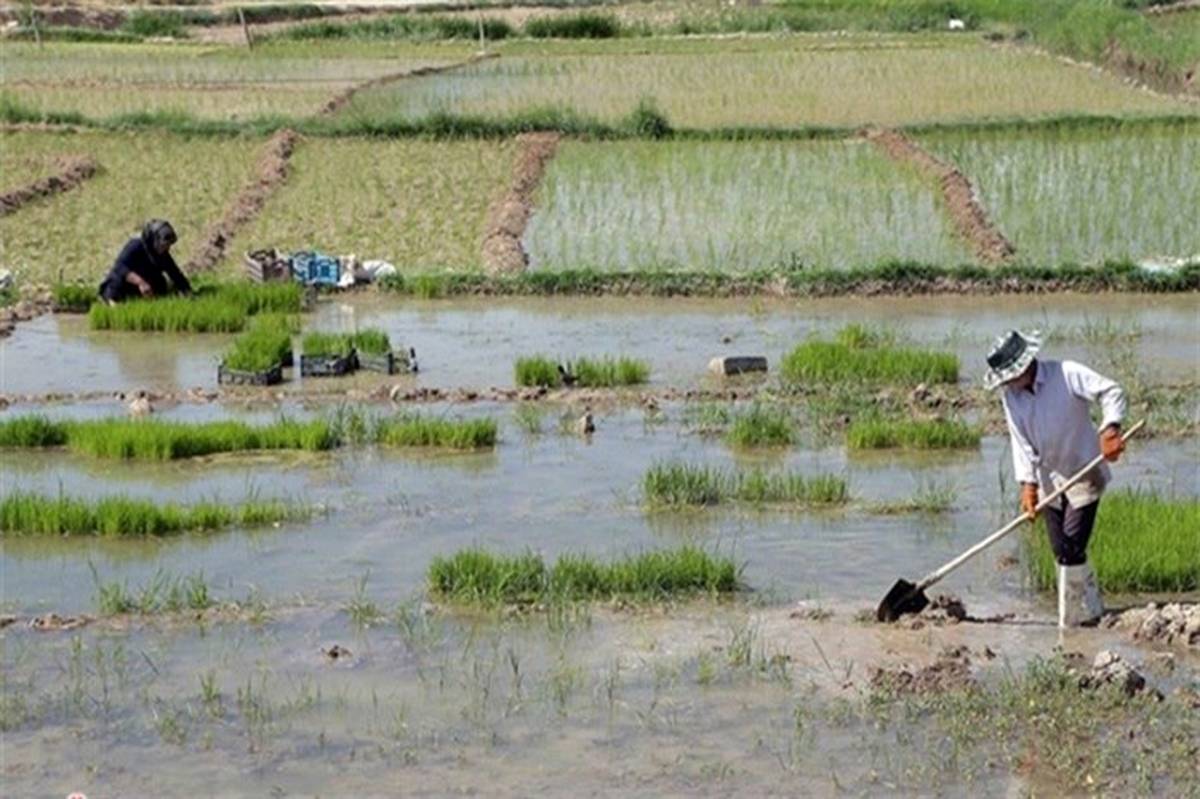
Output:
x=1144 y=542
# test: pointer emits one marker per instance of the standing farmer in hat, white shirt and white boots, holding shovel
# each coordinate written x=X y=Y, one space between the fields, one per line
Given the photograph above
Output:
x=1047 y=408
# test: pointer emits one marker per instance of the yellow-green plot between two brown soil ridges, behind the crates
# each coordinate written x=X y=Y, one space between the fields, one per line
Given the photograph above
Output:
x=418 y=205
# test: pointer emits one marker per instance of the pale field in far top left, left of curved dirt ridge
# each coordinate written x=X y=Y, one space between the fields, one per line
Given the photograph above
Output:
x=101 y=81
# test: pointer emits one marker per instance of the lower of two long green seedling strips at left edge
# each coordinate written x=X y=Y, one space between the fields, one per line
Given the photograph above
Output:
x=32 y=514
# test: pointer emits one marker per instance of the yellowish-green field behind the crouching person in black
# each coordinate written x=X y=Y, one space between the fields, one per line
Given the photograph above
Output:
x=79 y=235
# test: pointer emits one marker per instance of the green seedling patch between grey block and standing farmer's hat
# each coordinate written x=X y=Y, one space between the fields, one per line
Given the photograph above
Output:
x=824 y=363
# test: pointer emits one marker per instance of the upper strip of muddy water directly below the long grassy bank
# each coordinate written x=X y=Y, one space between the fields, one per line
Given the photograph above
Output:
x=475 y=343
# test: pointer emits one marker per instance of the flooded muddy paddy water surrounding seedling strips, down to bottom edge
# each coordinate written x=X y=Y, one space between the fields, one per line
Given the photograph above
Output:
x=733 y=699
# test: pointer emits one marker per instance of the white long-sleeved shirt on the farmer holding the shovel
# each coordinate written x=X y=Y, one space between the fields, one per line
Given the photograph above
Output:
x=1052 y=430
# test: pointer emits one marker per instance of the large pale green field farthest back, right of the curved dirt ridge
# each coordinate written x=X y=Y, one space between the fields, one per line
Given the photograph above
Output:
x=772 y=83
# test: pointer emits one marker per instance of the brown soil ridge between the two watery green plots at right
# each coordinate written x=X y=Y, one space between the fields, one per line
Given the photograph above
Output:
x=969 y=215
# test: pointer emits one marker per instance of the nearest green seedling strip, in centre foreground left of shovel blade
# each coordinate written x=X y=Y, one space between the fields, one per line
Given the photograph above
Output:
x=481 y=578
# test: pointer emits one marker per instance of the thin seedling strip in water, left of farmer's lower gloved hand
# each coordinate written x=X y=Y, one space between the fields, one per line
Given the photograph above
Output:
x=677 y=484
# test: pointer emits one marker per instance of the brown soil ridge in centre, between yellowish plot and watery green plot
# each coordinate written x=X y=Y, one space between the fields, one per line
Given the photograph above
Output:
x=508 y=217
